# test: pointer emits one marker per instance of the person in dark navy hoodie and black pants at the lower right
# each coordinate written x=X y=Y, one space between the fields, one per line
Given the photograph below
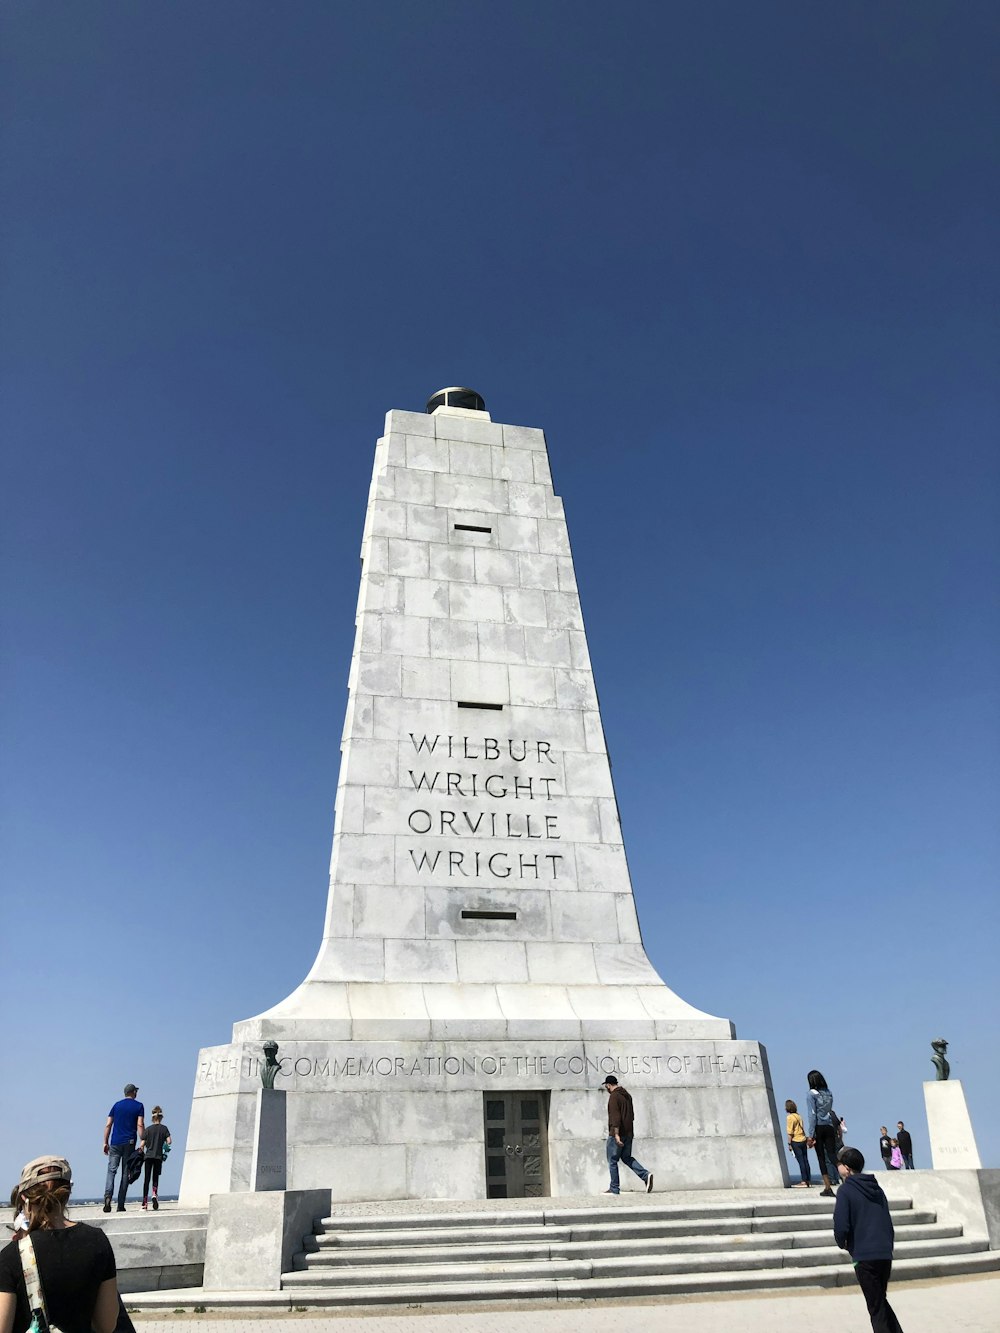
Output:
x=863 y=1227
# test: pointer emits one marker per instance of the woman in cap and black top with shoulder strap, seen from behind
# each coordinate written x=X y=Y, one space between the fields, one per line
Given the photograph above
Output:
x=75 y=1263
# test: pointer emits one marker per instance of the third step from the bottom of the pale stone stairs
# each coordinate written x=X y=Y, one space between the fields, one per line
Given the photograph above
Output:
x=317 y=1256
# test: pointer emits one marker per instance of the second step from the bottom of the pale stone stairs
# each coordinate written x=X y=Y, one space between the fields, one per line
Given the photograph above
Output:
x=585 y=1268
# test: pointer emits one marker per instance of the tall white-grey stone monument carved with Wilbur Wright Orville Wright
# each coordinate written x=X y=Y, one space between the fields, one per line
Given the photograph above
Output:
x=482 y=968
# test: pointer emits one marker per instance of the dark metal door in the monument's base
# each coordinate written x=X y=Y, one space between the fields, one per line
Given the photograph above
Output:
x=517 y=1142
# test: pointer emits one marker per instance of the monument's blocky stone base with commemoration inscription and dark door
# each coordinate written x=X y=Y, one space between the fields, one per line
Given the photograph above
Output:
x=463 y=1120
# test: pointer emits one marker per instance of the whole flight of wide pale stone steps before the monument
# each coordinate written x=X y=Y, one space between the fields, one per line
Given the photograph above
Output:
x=601 y=1251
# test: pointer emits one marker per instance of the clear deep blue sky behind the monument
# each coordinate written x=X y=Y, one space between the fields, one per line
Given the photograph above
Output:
x=741 y=262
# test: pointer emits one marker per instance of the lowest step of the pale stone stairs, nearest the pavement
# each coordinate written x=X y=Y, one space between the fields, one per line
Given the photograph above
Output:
x=617 y=1286
